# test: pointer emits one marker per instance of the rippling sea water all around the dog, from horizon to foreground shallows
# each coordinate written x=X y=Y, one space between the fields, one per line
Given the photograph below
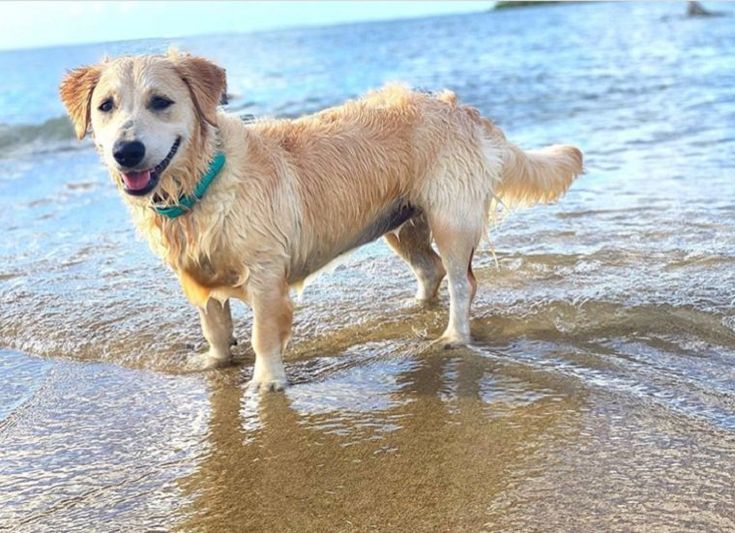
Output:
x=600 y=392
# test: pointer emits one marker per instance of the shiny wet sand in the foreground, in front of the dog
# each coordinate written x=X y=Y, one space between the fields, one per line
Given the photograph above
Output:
x=383 y=439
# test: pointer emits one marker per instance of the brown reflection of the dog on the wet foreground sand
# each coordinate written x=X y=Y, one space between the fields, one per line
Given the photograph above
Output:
x=434 y=457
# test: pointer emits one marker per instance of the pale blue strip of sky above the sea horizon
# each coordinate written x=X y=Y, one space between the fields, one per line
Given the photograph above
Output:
x=44 y=23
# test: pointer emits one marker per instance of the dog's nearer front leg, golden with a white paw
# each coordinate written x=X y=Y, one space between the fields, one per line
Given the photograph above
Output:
x=272 y=319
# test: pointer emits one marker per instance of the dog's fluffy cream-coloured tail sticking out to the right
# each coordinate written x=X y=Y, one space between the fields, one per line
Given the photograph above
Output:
x=537 y=176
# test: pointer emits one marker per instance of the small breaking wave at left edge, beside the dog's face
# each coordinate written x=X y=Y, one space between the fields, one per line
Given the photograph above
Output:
x=52 y=135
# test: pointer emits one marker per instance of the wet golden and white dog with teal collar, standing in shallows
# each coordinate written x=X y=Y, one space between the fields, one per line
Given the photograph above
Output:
x=249 y=211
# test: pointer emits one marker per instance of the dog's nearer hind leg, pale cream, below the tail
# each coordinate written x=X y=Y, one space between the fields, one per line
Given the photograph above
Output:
x=457 y=239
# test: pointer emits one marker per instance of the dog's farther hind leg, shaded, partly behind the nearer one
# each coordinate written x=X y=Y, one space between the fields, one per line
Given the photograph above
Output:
x=412 y=242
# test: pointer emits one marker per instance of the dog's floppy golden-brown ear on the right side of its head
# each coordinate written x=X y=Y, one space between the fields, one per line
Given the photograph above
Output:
x=206 y=82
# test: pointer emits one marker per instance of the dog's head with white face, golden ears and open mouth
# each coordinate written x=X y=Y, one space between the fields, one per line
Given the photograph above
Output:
x=144 y=113
